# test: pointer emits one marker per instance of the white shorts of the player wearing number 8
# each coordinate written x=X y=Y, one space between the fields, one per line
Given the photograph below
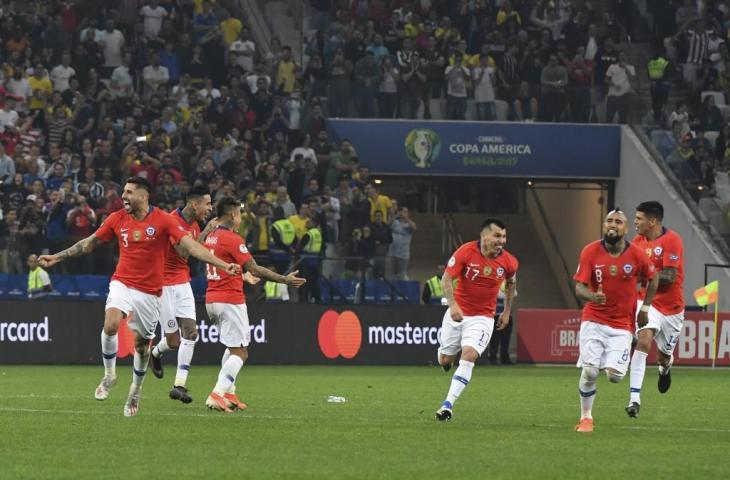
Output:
x=602 y=347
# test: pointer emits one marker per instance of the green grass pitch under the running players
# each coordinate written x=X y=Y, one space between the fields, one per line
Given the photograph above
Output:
x=511 y=422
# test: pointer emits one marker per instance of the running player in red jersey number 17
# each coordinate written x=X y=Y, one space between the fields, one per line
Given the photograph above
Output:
x=479 y=267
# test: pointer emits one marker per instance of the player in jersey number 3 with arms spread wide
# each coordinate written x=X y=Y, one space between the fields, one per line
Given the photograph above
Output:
x=143 y=233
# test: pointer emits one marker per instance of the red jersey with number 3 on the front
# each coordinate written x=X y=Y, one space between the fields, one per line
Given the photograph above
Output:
x=142 y=247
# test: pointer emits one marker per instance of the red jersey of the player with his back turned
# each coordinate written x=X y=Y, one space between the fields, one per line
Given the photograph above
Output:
x=229 y=247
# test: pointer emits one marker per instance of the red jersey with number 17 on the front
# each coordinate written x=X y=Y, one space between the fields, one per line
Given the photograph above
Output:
x=479 y=278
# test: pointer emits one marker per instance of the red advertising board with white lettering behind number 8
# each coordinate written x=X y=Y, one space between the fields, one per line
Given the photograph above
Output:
x=552 y=336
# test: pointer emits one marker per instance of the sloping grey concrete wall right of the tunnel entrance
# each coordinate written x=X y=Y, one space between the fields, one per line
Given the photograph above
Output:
x=642 y=180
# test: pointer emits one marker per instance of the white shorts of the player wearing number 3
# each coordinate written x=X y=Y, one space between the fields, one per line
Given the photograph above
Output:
x=143 y=307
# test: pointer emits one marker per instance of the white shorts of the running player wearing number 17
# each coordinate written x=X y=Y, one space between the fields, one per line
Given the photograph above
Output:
x=473 y=332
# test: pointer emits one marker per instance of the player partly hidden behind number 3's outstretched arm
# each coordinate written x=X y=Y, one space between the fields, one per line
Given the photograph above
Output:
x=177 y=316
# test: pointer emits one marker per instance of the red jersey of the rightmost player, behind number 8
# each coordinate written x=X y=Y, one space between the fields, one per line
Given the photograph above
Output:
x=665 y=252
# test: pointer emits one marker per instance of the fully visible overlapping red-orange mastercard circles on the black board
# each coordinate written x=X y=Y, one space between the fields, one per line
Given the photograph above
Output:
x=339 y=334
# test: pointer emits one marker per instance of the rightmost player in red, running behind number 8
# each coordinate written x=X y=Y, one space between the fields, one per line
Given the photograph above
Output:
x=664 y=249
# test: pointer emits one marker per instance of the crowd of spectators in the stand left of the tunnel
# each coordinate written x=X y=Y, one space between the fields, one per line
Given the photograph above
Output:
x=92 y=93
